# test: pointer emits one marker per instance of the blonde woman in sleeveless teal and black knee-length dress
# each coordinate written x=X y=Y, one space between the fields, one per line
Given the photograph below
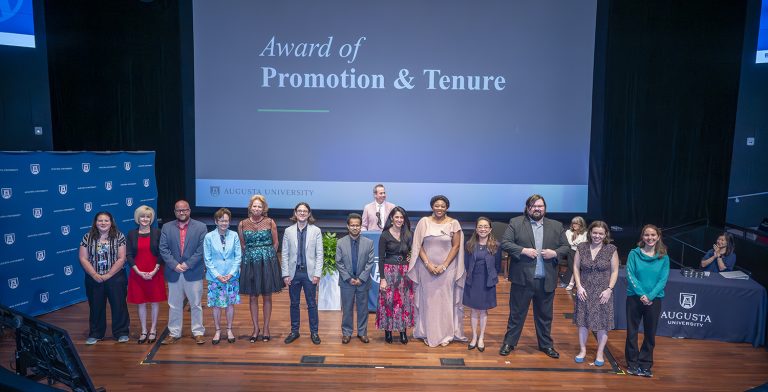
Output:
x=260 y=270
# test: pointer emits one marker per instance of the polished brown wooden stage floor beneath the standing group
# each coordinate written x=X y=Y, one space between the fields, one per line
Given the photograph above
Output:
x=680 y=364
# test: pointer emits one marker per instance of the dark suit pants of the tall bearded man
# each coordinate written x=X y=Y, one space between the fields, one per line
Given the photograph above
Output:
x=519 y=301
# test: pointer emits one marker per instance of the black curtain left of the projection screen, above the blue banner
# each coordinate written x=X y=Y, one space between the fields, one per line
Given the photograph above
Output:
x=115 y=82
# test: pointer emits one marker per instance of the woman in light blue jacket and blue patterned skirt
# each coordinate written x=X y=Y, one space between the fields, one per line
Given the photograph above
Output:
x=222 y=253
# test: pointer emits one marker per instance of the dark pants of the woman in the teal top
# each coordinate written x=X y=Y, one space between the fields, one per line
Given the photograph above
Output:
x=636 y=311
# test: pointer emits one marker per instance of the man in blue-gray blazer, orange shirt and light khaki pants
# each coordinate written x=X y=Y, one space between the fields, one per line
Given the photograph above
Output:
x=181 y=247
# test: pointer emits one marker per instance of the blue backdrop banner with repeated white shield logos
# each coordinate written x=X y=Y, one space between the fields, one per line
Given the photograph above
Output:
x=48 y=203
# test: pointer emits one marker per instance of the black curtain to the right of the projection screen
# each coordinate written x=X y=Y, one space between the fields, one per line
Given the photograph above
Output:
x=671 y=84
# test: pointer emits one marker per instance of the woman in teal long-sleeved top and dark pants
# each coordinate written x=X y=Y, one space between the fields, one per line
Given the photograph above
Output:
x=647 y=273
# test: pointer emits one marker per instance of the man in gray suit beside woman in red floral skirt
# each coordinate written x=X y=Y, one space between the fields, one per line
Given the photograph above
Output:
x=354 y=260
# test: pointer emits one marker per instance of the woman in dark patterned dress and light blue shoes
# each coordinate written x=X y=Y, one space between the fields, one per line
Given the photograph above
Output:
x=595 y=270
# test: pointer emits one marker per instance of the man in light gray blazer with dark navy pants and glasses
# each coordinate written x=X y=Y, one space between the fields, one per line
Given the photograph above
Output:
x=302 y=266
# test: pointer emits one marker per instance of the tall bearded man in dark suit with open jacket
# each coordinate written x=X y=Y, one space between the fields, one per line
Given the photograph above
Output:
x=535 y=244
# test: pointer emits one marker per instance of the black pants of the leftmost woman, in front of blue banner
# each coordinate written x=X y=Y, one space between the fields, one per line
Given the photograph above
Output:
x=113 y=290
